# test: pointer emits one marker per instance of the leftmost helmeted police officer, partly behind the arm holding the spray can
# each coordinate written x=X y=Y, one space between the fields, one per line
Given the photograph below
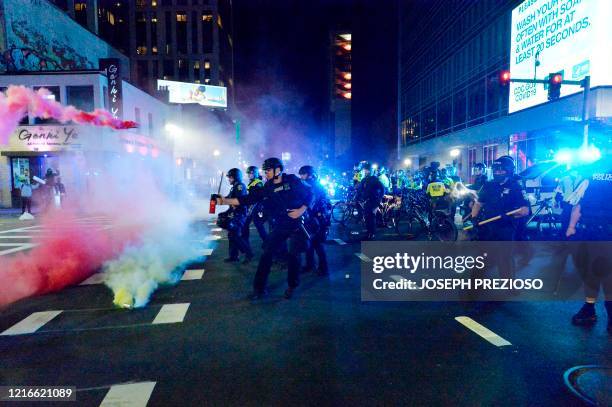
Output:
x=234 y=218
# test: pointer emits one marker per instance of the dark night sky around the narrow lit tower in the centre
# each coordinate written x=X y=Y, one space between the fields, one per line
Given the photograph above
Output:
x=281 y=51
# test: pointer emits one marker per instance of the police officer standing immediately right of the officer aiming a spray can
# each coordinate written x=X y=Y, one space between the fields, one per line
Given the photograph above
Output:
x=319 y=220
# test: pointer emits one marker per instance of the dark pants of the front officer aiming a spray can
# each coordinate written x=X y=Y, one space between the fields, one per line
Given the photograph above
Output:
x=275 y=241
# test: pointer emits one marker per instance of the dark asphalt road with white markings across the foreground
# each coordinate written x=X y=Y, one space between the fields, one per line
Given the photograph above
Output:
x=323 y=347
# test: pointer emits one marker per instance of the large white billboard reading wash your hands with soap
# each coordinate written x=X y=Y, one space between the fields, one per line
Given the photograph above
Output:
x=572 y=37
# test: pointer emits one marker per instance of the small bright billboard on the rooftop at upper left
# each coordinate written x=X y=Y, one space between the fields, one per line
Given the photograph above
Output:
x=205 y=95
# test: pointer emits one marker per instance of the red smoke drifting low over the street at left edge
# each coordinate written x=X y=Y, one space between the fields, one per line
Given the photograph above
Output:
x=71 y=254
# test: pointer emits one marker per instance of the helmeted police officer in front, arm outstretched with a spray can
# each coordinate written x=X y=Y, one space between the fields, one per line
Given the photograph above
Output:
x=286 y=198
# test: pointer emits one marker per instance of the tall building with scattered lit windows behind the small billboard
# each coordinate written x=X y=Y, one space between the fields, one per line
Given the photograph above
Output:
x=181 y=40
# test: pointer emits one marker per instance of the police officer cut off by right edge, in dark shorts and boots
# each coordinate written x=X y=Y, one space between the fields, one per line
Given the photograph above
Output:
x=591 y=209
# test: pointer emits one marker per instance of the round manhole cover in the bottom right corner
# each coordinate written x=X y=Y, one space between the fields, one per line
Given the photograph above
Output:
x=591 y=383
